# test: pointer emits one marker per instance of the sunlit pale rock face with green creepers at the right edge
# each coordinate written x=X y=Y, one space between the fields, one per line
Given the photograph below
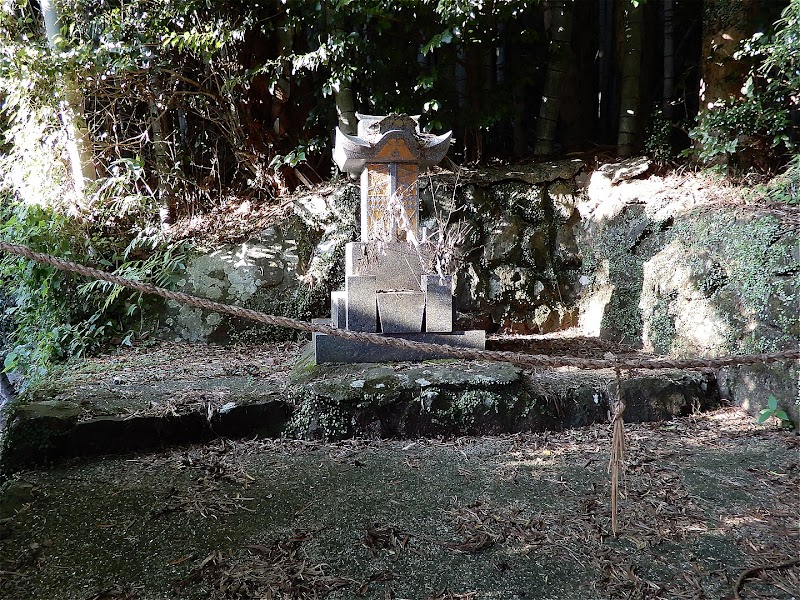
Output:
x=658 y=273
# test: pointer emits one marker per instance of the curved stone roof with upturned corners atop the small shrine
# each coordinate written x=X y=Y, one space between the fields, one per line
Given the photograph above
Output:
x=393 y=138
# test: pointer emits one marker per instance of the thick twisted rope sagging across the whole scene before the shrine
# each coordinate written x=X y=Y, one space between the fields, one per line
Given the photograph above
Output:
x=525 y=360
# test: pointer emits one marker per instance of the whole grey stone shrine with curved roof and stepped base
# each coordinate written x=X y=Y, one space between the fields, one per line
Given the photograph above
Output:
x=389 y=286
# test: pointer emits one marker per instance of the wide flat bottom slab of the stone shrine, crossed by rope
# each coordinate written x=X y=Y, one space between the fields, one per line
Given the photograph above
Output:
x=332 y=349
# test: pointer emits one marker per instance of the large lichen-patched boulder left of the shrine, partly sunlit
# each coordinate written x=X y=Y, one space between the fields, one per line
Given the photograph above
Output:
x=288 y=269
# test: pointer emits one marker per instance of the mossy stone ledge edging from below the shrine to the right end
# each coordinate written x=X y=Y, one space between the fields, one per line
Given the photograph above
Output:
x=475 y=397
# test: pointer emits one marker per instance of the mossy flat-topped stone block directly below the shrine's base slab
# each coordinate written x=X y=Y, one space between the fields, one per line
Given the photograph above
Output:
x=387 y=401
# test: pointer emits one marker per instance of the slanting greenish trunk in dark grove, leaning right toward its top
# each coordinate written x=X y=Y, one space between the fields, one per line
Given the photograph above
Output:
x=558 y=66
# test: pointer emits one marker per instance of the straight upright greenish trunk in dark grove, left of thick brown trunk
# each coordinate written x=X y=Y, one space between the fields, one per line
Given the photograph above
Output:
x=631 y=75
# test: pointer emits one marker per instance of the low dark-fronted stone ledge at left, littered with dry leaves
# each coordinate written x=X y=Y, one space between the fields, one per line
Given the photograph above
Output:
x=167 y=413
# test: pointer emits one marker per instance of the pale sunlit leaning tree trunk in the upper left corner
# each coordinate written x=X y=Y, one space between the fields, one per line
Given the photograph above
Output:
x=79 y=146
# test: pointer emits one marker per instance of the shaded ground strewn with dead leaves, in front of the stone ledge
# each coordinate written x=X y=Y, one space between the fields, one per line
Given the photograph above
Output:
x=524 y=516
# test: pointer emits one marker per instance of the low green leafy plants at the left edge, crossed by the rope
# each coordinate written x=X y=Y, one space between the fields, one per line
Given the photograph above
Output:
x=53 y=315
